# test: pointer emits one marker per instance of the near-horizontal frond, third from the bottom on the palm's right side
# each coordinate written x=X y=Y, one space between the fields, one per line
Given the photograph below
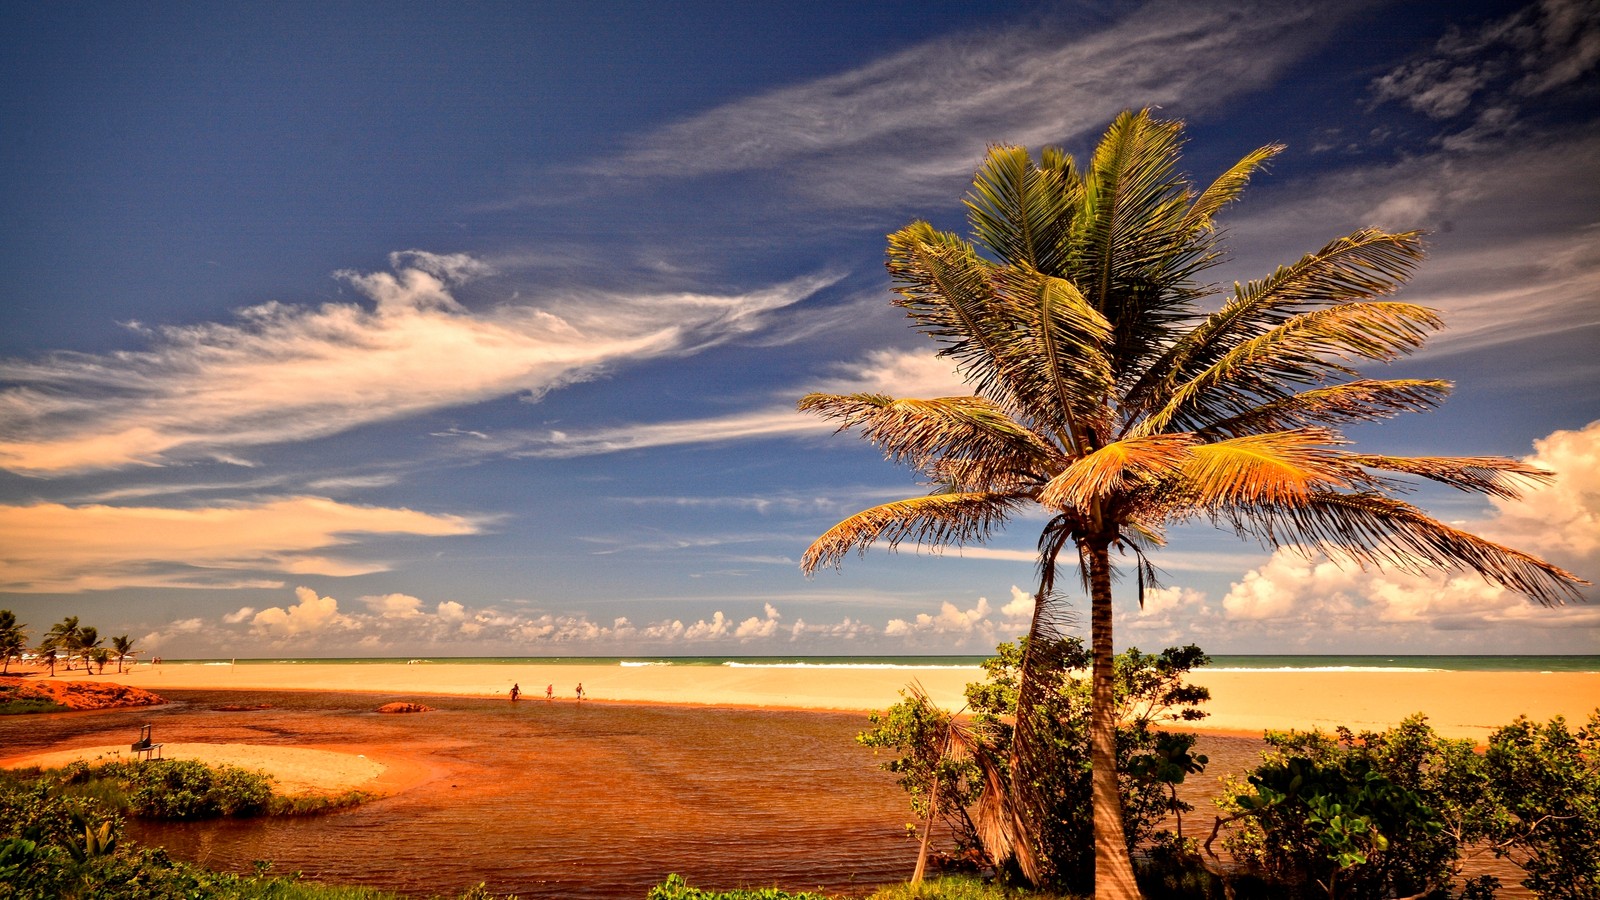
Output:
x=1335 y=404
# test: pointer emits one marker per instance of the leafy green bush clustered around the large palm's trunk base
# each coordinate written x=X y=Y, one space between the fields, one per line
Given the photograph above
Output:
x=962 y=790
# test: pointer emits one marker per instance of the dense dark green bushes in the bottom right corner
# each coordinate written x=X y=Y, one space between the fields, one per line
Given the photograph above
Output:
x=1396 y=813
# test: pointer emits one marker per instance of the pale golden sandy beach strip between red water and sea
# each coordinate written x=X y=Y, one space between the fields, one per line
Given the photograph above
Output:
x=1458 y=704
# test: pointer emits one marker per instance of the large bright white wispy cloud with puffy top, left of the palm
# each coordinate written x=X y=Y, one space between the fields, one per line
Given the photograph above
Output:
x=287 y=372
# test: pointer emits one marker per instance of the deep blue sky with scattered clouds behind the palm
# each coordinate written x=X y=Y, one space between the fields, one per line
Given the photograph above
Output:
x=478 y=329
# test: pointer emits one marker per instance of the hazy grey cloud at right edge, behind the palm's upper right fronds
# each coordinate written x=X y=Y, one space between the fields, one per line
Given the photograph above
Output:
x=1510 y=233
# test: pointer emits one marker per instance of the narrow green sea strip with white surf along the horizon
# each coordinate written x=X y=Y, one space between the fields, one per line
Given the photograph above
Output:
x=1366 y=662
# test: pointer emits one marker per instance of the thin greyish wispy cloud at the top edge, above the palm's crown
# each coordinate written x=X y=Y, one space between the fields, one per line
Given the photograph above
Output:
x=913 y=121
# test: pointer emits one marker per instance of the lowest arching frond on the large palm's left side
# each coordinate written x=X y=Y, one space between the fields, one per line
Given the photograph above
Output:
x=942 y=520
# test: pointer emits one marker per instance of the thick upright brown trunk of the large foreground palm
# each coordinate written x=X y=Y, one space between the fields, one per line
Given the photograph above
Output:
x=1113 y=866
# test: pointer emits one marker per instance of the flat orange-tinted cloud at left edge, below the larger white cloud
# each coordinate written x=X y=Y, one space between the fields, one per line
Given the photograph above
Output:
x=57 y=548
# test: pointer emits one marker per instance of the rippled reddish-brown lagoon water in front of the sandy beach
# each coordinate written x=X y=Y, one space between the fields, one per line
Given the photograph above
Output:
x=562 y=800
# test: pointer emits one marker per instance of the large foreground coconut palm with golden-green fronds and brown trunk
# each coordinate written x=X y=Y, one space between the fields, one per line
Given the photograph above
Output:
x=1106 y=398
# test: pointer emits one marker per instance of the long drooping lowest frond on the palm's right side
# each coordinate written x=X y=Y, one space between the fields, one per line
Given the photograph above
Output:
x=1378 y=531
